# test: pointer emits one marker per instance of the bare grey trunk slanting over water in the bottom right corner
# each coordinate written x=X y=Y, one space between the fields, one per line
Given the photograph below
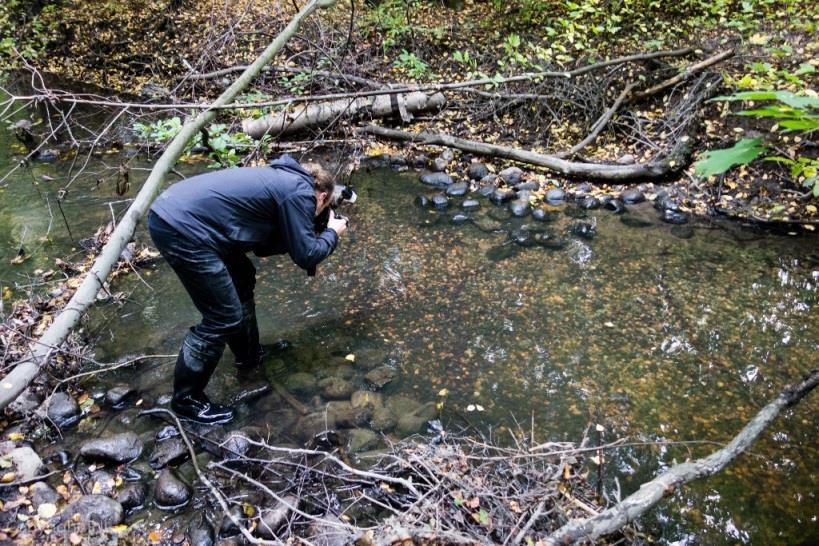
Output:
x=652 y=492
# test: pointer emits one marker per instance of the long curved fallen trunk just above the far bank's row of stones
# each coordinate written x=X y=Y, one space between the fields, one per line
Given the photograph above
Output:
x=659 y=167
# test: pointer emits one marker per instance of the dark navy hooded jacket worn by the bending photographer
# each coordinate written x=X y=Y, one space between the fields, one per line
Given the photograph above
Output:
x=267 y=210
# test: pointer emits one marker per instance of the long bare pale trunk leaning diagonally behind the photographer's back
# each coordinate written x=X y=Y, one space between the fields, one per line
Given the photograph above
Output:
x=25 y=371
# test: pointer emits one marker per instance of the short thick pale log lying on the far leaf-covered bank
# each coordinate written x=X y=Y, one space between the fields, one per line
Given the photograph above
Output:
x=315 y=115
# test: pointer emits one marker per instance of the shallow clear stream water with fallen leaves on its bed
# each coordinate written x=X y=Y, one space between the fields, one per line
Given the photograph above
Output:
x=655 y=337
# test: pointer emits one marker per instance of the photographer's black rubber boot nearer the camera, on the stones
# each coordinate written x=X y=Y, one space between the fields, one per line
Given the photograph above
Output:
x=195 y=364
